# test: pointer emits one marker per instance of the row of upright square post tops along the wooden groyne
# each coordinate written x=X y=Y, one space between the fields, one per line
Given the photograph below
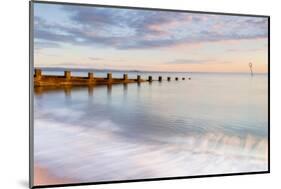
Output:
x=67 y=75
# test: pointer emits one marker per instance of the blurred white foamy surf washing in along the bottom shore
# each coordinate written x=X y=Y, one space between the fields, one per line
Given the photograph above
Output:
x=100 y=153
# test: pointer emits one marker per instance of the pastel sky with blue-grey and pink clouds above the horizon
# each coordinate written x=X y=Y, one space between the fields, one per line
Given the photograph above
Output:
x=129 y=39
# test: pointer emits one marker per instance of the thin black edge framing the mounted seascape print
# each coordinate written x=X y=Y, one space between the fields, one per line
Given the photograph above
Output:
x=31 y=120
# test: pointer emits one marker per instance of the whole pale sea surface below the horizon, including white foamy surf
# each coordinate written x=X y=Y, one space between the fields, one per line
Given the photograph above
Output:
x=212 y=124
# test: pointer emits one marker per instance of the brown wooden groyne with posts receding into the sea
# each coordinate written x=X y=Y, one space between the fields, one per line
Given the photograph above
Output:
x=67 y=79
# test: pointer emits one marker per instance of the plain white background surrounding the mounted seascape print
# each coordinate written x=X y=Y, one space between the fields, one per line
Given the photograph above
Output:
x=14 y=105
